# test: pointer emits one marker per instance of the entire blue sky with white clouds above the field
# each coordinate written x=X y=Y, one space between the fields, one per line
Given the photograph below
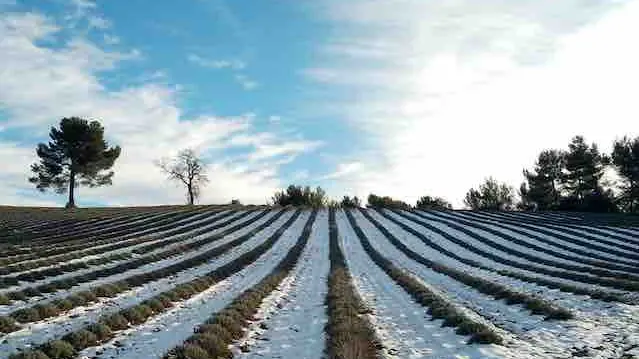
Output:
x=394 y=97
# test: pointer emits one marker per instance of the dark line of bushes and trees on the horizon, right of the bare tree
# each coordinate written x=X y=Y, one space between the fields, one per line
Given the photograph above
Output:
x=560 y=180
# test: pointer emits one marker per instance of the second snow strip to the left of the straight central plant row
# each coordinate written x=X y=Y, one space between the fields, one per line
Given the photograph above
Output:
x=145 y=341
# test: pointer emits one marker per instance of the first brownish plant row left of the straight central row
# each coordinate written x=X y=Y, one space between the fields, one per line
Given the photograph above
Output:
x=213 y=338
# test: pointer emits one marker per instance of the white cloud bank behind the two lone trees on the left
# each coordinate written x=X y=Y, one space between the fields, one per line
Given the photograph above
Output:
x=41 y=84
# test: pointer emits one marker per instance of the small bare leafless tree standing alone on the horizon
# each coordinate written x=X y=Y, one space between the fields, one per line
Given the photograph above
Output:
x=187 y=168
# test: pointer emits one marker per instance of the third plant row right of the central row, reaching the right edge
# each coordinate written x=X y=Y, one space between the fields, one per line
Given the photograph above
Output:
x=579 y=290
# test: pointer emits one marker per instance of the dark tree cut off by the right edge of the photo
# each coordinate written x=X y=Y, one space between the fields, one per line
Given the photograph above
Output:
x=625 y=159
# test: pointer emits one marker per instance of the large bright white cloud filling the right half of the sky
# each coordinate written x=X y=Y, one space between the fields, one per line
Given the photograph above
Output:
x=447 y=93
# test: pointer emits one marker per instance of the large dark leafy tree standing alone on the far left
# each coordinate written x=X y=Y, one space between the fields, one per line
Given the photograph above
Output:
x=77 y=154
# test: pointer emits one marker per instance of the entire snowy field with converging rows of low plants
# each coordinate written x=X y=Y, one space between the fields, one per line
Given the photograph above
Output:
x=259 y=282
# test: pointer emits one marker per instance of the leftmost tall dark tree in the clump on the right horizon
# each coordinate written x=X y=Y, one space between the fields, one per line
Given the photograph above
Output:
x=541 y=190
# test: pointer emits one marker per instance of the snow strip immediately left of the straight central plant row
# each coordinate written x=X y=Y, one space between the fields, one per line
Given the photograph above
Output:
x=295 y=314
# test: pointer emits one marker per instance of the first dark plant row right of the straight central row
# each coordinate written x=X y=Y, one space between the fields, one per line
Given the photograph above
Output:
x=439 y=307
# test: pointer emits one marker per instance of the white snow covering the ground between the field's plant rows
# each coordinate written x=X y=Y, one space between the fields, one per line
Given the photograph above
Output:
x=290 y=322
